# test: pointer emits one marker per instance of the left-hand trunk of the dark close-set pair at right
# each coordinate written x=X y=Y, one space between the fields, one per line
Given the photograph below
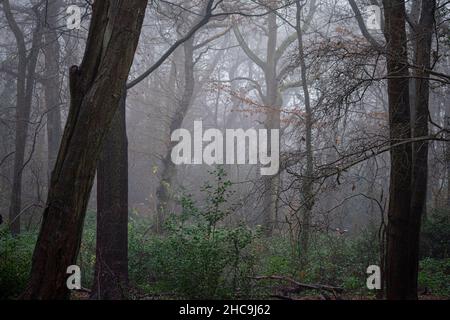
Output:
x=398 y=262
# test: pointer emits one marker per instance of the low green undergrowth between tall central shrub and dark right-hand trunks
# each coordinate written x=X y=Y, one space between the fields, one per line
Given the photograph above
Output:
x=339 y=260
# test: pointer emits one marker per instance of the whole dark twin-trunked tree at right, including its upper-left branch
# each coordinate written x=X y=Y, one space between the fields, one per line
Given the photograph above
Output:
x=408 y=120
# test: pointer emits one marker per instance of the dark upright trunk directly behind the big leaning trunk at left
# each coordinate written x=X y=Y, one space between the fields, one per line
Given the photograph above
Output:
x=111 y=264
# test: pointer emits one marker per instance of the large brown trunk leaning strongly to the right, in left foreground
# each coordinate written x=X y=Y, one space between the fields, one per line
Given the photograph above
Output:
x=96 y=88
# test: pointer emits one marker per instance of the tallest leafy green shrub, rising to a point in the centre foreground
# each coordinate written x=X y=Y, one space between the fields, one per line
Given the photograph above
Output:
x=198 y=257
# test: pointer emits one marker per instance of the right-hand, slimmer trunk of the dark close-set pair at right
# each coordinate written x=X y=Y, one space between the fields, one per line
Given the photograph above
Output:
x=424 y=36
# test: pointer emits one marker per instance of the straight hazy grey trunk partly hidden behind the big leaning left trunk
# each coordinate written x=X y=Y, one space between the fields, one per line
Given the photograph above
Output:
x=51 y=83
